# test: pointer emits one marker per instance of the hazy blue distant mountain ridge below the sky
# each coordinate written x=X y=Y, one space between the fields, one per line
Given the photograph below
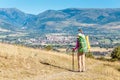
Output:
x=57 y=19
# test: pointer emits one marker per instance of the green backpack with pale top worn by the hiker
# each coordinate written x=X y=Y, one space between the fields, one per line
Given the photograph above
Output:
x=82 y=44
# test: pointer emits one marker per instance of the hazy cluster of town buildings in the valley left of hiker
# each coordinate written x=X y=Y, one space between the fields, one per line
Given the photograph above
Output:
x=54 y=39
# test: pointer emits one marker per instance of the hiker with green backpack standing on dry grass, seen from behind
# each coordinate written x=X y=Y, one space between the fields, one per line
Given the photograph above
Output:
x=82 y=48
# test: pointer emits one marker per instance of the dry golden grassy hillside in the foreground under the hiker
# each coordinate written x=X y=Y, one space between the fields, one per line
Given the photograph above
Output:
x=22 y=63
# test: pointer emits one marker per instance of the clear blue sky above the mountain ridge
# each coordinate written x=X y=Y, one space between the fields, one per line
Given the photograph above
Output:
x=38 y=6
